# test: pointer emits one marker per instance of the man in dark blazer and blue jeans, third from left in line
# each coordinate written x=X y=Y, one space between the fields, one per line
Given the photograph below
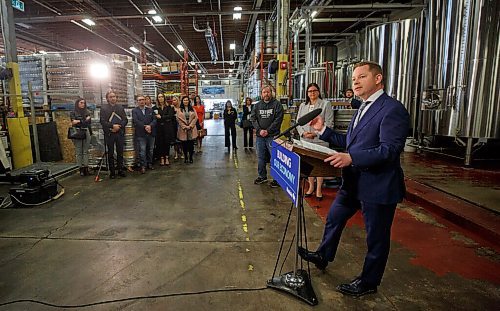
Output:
x=144 y=122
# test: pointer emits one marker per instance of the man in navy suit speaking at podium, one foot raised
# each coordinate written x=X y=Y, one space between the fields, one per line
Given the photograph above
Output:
x=372 y=178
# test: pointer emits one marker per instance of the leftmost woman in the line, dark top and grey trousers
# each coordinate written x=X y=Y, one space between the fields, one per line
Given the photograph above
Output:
x=81 y=121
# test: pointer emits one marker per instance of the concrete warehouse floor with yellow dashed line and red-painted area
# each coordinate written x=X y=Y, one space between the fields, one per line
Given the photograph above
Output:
x=172 y=237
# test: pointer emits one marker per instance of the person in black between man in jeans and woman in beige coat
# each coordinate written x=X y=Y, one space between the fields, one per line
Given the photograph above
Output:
x=165 y=123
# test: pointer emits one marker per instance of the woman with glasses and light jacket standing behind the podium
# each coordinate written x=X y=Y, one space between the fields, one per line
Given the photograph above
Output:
x=314 y=101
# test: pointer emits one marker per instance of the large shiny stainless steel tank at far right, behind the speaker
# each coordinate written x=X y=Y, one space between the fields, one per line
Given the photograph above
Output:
x=461 y=69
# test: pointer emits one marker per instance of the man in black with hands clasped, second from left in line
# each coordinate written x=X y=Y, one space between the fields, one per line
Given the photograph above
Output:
x=113 y=120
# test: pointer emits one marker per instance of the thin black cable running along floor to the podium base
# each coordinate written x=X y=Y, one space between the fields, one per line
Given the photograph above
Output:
x=104 y=302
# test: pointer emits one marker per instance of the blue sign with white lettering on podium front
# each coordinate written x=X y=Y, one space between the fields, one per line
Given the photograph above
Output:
x=285 y=169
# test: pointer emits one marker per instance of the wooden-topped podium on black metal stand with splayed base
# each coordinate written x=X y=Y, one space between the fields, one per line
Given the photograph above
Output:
x=298 y=282
